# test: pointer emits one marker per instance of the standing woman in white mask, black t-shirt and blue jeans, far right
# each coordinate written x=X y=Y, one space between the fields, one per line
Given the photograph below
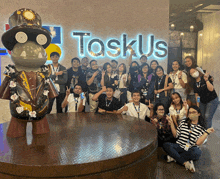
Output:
x=207 y=98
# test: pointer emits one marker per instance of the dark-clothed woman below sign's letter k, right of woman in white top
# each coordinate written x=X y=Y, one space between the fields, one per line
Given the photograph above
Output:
x=132 y=81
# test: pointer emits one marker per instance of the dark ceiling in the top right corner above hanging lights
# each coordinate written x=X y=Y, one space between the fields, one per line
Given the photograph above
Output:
x=183 y=13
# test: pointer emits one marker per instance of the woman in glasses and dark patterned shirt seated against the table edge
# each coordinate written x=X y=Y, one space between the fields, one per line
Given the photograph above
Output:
x=160 y=121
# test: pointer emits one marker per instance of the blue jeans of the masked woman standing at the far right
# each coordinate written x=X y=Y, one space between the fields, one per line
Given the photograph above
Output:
x=208 y=111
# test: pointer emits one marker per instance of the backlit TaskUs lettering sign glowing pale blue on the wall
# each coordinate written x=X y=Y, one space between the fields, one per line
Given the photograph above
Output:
x=114 y=48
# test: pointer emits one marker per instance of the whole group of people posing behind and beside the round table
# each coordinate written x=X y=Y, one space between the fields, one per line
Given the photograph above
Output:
x=181 y=104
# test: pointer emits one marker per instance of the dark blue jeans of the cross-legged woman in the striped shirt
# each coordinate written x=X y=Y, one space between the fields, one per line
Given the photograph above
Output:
x=179 y=154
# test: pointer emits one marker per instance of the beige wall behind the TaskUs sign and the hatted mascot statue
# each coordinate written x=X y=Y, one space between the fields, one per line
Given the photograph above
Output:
x=104 y=19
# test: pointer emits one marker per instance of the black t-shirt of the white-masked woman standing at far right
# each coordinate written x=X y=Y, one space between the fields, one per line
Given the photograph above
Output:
x=205 y=95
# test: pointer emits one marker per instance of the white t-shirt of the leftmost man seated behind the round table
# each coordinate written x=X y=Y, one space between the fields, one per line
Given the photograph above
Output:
x=72 y=102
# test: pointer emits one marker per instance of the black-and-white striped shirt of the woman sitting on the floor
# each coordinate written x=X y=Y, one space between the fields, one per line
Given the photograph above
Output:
x=185 y=134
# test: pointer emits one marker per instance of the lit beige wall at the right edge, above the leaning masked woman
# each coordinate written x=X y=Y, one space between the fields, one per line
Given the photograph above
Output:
x=208 y=47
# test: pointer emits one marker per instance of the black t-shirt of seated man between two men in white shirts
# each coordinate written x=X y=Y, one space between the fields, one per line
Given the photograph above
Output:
x=107 y=104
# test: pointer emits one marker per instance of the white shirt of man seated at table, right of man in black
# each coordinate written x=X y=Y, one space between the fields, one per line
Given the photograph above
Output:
x=144 y=110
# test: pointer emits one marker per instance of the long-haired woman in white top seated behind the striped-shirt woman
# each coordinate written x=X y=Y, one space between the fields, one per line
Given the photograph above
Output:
x=178 y=108
